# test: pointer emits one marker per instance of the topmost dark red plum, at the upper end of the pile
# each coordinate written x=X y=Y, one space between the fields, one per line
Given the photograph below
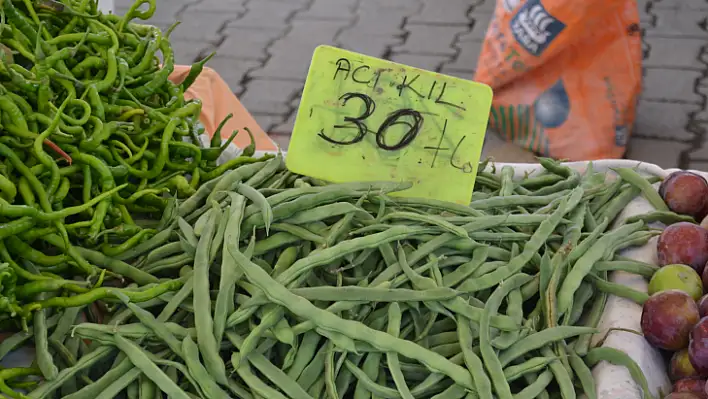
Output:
x=685 y=193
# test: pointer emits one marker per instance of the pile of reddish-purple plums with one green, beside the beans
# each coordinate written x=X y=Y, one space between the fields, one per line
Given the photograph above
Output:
x=675 y=317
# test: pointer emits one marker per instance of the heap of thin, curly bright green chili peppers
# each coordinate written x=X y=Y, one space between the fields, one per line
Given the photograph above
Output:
x=93 y=136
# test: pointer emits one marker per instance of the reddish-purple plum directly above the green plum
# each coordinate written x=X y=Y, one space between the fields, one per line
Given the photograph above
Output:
x=683 y=243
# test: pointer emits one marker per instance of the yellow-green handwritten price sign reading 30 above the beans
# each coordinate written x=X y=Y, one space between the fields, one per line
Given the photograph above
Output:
x=366 y=119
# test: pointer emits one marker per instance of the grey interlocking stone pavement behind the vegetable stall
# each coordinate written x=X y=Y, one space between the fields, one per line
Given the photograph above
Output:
x=264 y=49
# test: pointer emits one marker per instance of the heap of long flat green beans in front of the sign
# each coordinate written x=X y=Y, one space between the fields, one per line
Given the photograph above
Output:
x=288 y=287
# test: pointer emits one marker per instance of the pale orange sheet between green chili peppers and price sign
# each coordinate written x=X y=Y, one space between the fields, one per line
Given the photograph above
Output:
x=217 y=102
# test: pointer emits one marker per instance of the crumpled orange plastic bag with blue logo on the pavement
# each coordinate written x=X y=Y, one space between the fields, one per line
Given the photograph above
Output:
x=566 y=75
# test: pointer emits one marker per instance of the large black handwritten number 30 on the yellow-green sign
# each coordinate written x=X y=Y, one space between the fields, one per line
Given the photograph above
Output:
x=392 y=120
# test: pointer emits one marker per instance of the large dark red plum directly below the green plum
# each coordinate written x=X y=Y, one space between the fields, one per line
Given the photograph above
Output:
x=667 y=319
